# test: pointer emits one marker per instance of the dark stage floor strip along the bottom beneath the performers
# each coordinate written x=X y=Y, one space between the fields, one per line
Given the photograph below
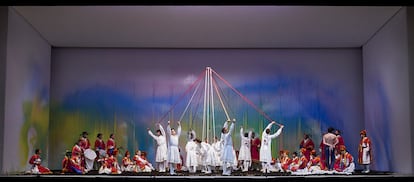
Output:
x=238 y=177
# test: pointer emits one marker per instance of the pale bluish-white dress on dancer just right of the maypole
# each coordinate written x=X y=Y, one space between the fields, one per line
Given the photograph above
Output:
x=227 y=154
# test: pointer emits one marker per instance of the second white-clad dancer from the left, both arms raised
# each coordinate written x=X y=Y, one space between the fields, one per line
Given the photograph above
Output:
x=173 y=152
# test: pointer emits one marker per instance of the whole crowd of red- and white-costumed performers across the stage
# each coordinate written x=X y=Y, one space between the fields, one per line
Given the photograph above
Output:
x=254 y=154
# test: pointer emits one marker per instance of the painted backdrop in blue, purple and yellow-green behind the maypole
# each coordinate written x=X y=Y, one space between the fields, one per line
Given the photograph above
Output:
x=125 y=91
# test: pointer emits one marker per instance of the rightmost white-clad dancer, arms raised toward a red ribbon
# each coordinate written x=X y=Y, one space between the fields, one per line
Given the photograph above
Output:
x=266 y=146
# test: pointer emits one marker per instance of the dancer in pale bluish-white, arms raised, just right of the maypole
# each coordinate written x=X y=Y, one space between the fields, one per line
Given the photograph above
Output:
x=227 y=155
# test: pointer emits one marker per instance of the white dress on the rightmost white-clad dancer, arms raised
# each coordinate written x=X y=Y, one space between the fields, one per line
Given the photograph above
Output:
x=266 y=145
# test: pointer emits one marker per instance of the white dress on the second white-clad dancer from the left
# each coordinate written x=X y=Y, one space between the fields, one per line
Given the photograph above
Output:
x=173 y=152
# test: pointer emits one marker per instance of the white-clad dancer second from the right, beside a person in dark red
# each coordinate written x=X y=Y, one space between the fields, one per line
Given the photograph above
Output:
x=244 y=153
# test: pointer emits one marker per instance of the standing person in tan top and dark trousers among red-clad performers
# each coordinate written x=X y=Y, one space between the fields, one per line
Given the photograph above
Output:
x=329 y=141
